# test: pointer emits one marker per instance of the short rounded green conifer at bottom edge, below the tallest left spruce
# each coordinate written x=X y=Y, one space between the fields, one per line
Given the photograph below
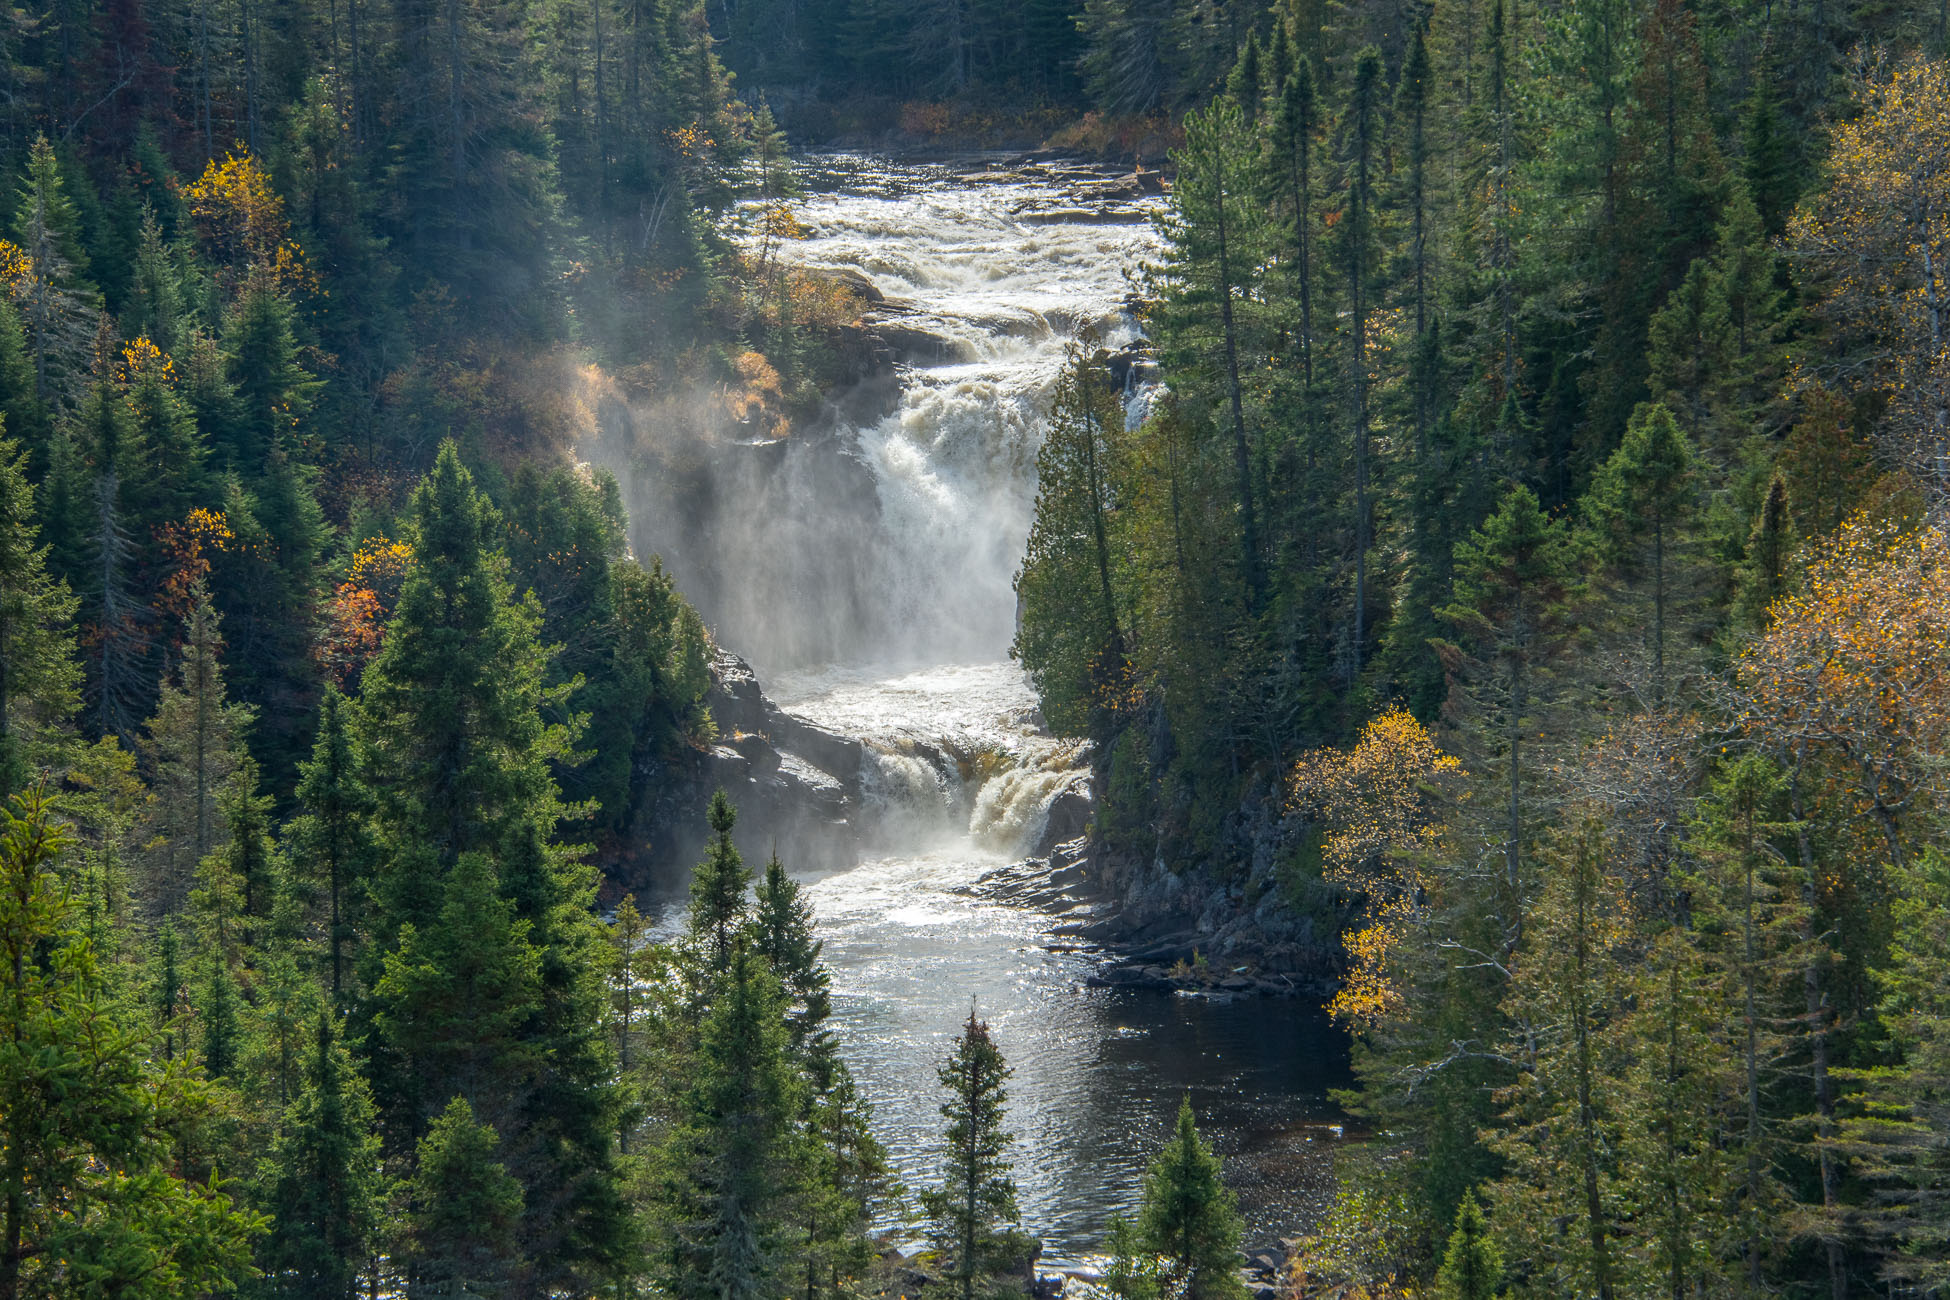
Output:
x=463 y=1209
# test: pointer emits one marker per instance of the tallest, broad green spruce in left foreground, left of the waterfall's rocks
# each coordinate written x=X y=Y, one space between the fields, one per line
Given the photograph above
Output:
x=457 y=753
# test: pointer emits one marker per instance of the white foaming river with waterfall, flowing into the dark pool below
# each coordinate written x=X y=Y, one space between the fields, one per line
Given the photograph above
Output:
x=1003 y=268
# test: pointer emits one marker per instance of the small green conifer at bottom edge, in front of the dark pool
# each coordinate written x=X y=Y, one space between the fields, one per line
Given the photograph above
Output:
x=1190 y=1219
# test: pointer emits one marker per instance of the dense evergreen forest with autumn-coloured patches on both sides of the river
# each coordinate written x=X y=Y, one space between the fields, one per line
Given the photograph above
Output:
x=1530 y=570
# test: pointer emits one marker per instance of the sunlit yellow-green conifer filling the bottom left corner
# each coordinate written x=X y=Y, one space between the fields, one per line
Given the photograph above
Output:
x=87 y=1114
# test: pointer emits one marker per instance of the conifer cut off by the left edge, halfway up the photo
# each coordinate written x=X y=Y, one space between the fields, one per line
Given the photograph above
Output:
x=38 y=671
